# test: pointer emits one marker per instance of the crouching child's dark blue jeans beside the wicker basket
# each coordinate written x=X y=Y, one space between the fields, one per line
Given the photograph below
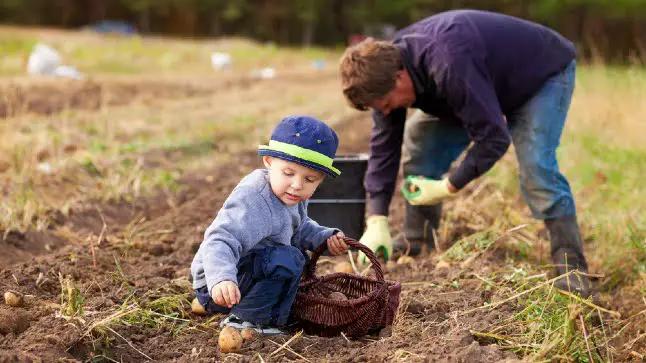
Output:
x=268 y=280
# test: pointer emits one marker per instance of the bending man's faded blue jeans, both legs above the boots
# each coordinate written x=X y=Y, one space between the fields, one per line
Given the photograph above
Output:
x=430 y=146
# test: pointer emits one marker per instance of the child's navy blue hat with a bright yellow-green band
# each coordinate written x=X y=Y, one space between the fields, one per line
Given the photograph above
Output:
x=306 y=141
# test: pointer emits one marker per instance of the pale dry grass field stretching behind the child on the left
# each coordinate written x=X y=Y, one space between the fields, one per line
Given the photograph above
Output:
x=122 y=151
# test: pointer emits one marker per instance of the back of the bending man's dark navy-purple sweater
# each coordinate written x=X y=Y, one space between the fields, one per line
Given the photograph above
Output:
x=516 y=55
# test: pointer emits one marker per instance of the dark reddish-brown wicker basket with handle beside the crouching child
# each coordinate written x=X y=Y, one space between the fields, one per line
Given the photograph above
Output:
x=371 y=305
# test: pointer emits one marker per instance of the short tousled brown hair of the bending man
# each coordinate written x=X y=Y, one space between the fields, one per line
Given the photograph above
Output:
x=368 y=71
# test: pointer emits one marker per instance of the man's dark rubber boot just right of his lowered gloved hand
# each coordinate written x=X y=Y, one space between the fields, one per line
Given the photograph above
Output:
x=419 y=223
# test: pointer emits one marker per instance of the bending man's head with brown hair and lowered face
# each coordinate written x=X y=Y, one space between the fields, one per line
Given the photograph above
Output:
x=373 y=76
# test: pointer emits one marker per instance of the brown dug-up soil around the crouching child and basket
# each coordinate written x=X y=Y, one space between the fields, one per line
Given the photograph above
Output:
x=118 y=253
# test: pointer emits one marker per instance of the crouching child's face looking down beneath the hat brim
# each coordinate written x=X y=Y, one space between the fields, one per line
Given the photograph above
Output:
x=292 y=183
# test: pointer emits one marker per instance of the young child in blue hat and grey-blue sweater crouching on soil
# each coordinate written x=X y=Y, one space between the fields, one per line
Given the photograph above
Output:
x=250 y=262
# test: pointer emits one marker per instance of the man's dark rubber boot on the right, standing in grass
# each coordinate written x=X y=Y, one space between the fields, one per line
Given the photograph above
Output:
x=567 y=255
